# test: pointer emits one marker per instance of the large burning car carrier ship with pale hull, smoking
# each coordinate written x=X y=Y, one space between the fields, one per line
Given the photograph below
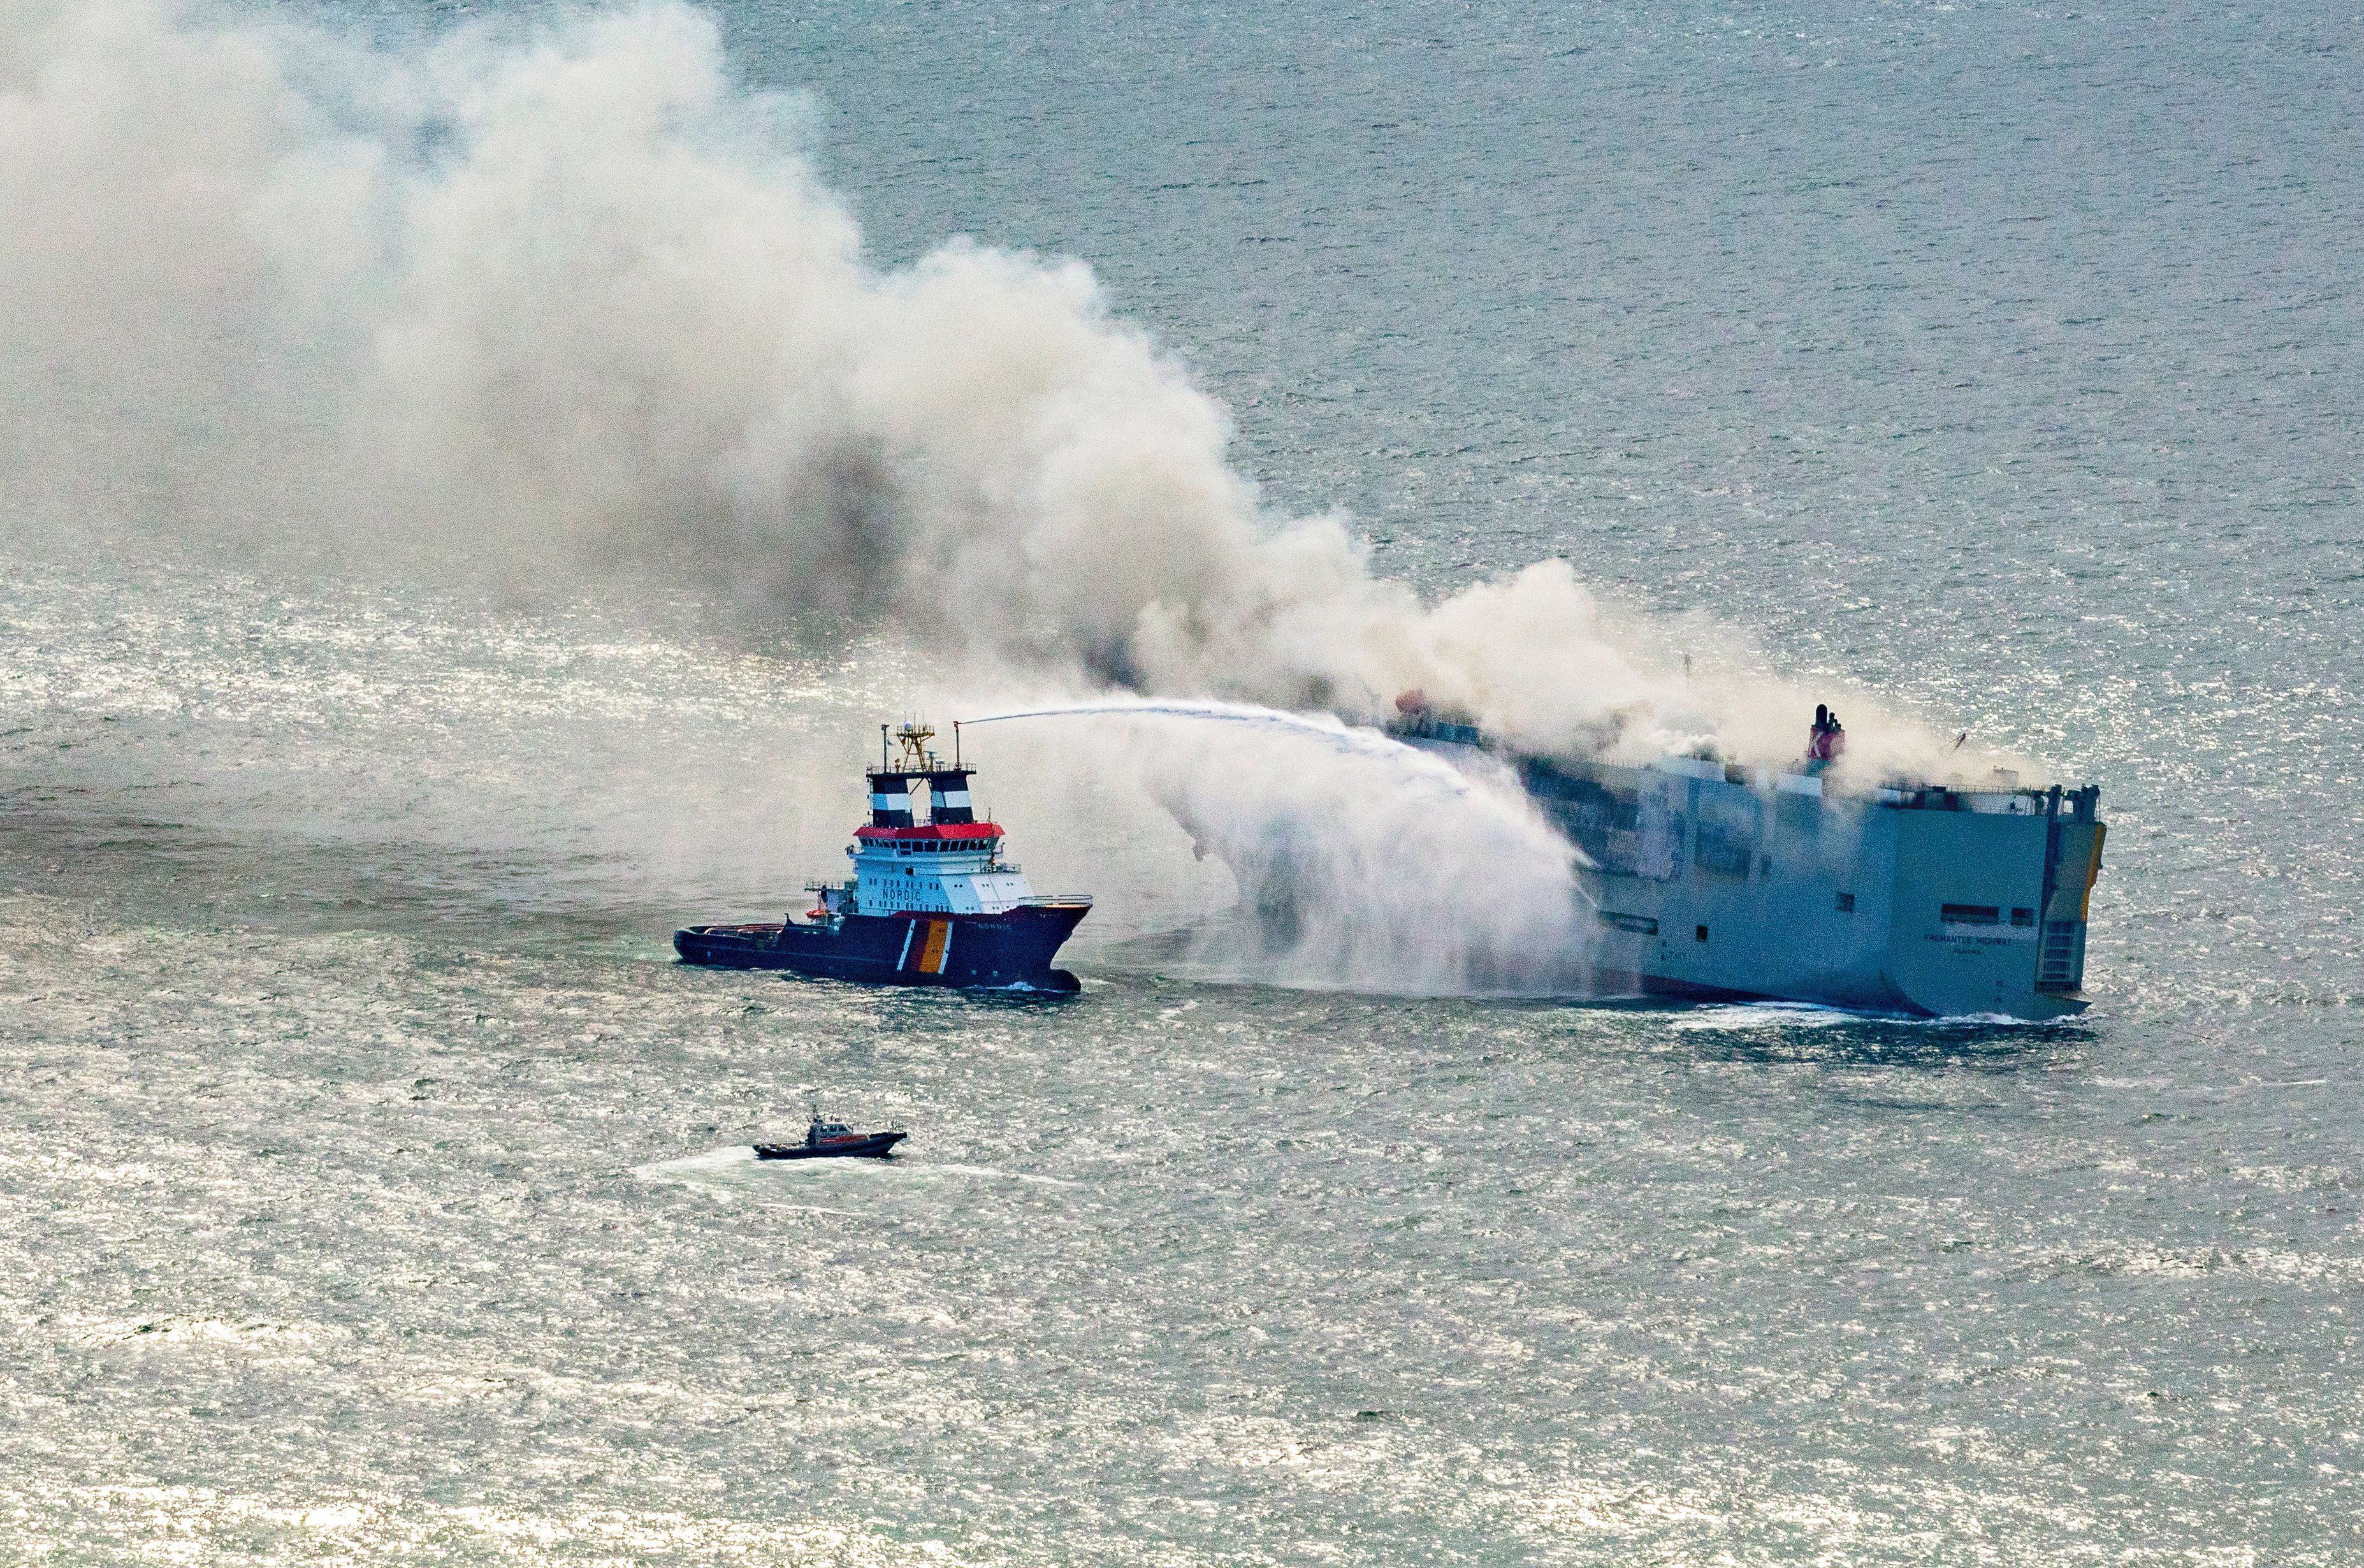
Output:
x=1732 y=883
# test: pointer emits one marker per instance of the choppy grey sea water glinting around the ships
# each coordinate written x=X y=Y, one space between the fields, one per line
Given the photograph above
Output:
x=375 y=1186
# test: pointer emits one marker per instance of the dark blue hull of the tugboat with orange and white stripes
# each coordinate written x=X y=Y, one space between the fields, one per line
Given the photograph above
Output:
x=1011 y=950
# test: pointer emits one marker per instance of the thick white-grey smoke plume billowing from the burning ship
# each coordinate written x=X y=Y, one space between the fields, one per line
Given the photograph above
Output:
x=564 y=311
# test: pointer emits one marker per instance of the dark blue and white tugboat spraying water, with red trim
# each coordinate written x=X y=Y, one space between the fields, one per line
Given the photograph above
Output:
x=930 y=902
